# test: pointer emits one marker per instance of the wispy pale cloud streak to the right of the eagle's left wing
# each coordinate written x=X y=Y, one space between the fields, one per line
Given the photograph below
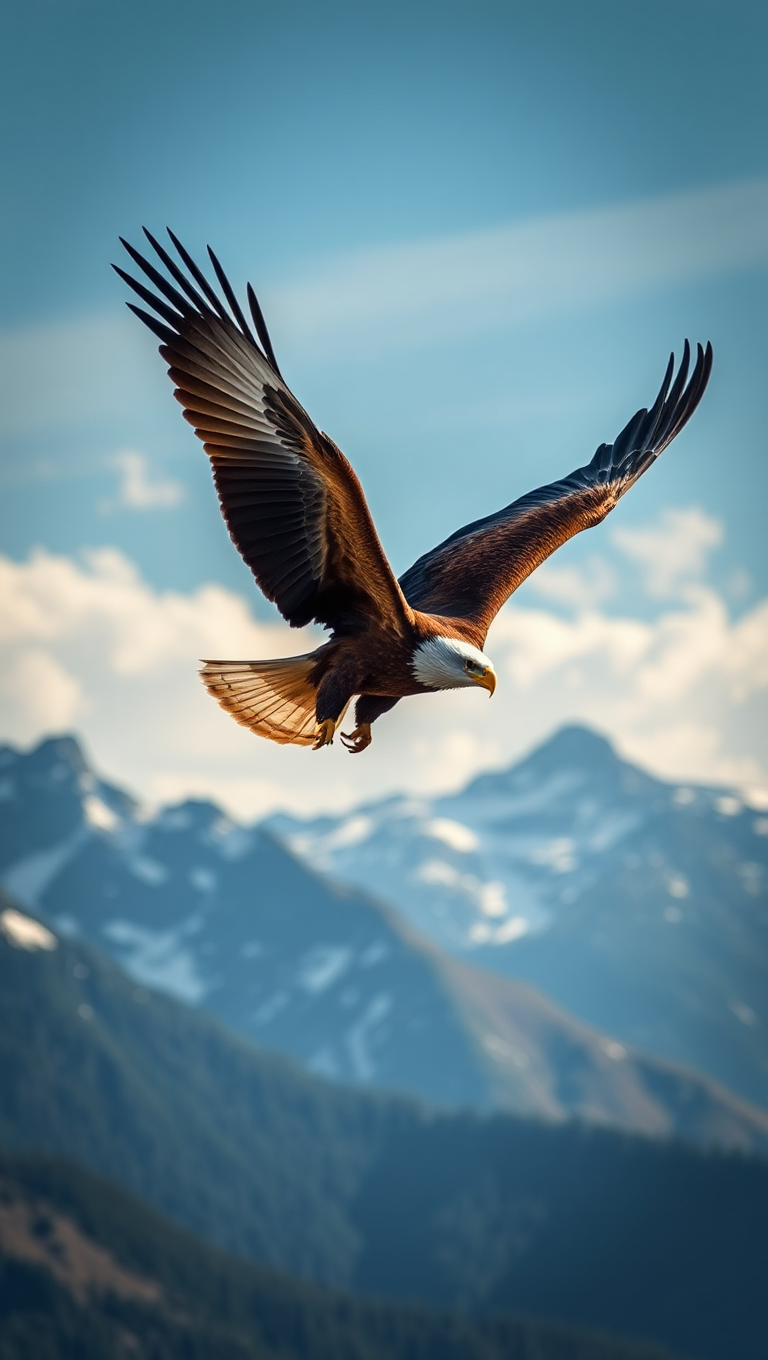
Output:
x=501 y=278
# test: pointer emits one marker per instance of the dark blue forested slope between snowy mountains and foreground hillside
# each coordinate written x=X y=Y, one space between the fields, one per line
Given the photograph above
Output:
x=377 y=1195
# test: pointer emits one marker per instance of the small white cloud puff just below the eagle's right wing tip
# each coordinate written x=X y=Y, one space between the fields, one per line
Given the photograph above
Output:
x=674 y=551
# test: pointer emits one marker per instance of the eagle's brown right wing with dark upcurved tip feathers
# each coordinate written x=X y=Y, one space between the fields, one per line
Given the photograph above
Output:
x=476 y=571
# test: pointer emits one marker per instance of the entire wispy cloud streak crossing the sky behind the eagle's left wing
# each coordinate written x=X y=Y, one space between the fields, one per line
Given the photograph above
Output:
x=414 y=294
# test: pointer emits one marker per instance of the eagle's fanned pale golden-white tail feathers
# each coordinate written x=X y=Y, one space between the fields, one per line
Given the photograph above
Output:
x=275 y=700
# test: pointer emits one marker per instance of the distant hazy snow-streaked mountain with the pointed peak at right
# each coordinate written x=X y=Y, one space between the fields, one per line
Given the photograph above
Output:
x=637 y=905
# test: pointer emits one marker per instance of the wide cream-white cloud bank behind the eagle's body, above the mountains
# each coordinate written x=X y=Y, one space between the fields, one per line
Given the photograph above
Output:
x=90 y=645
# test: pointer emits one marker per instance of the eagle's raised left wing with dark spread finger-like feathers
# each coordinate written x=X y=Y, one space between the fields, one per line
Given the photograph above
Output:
x=293 y=505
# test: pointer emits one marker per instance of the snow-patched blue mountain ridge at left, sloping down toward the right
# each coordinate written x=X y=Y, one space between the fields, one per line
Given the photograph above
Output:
x=229 y=920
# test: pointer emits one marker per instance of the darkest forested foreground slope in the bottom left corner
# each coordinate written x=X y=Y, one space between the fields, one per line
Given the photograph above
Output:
x=215 y=1308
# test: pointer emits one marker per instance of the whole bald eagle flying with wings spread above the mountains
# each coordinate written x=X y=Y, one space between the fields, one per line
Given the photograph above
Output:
x=297 y=513
